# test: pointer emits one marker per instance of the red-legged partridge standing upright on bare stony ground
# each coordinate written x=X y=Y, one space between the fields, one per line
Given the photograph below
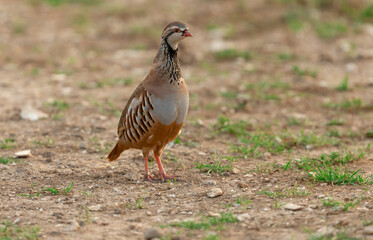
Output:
x=156 y=110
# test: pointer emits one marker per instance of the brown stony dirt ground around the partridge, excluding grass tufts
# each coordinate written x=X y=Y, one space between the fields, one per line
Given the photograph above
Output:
x=79 y=63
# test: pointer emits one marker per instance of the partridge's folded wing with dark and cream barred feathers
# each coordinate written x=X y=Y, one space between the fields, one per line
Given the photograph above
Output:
x=136 y=120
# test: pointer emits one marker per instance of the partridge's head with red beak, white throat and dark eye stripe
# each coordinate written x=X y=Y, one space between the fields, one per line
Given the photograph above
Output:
x=174 y=33
